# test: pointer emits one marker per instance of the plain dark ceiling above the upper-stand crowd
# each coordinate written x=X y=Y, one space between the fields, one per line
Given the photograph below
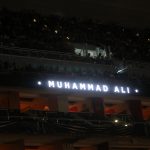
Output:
x=129 y=12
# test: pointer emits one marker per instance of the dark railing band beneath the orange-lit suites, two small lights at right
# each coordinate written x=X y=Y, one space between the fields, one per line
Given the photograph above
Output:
x=46 y=122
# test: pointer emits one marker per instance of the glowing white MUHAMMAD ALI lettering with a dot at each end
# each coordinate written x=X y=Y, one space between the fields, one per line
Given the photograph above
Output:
x=82 y=86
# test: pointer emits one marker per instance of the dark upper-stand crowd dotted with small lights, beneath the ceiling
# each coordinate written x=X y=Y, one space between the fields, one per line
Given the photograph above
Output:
x=28 y=29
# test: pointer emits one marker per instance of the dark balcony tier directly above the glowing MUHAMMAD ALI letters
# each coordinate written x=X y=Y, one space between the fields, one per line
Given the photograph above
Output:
x=35 y=63
